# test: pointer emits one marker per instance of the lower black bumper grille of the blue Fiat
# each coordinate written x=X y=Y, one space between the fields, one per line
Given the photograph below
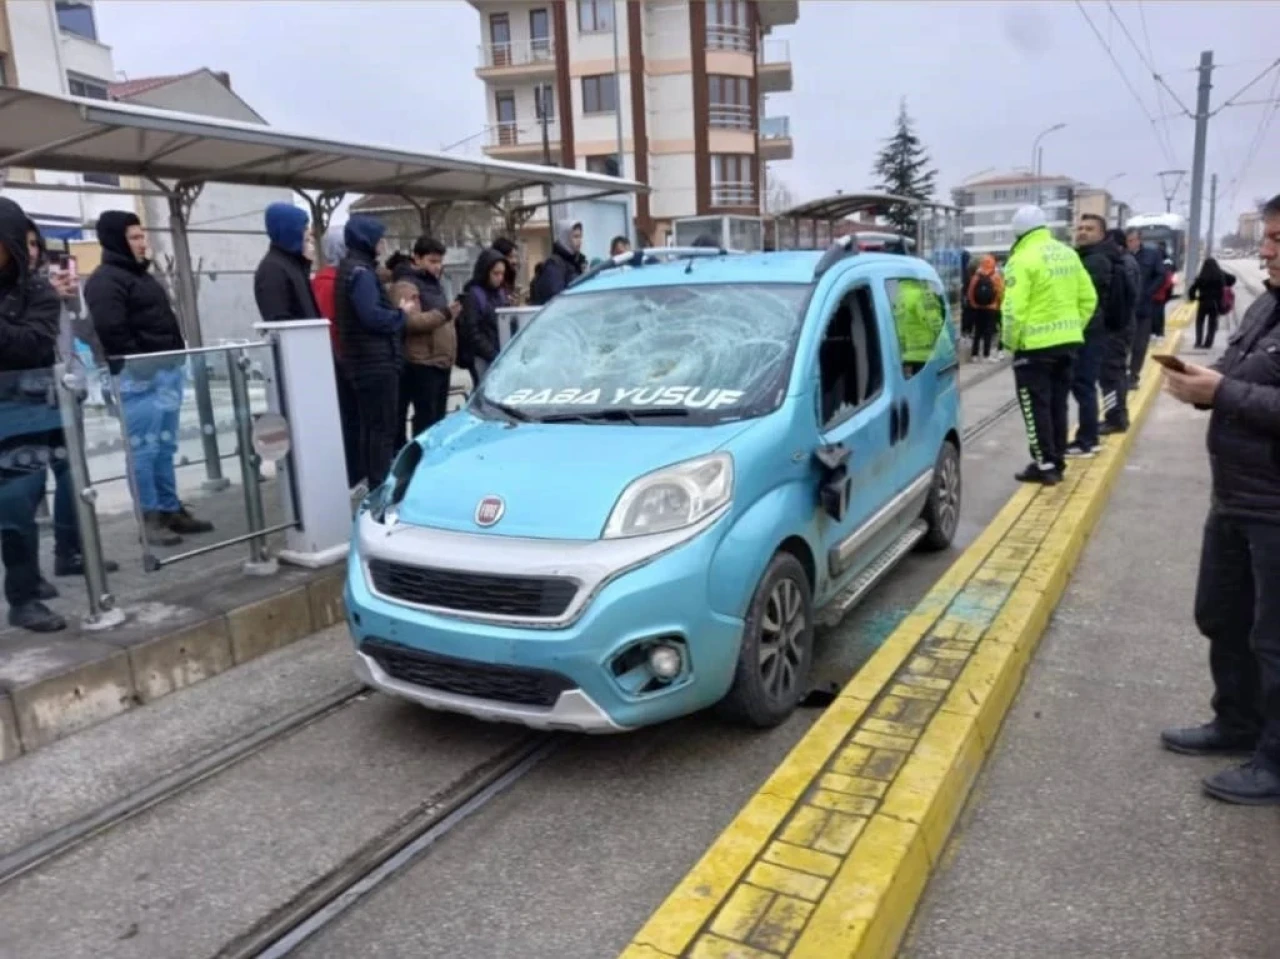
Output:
x=508 y=684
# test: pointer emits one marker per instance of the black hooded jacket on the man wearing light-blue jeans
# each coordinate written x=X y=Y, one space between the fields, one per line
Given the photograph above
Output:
x=130 y=308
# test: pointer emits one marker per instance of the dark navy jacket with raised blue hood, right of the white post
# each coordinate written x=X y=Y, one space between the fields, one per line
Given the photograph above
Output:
x=369 y=328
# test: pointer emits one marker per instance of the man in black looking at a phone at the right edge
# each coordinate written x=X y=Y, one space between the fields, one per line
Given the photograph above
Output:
x=1238 y=592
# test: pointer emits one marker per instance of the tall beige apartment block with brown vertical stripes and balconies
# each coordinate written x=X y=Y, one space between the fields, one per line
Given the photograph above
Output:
x=669 y=93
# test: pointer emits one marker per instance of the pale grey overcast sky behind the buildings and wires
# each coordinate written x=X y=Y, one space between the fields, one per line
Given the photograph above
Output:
x=981 y=81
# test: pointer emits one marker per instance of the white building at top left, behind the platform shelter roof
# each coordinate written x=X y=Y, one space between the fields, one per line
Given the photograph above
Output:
x=53 y=47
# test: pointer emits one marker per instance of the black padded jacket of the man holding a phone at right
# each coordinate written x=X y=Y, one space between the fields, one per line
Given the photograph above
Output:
x=1245 y=427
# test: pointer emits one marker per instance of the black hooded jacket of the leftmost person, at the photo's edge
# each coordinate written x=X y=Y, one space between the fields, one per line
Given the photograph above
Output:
x=29 y=307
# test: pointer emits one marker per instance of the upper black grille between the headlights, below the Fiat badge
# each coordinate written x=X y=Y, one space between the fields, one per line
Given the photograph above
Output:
x=542 y=597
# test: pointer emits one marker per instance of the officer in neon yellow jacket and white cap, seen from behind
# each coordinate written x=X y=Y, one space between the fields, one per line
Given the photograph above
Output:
x=1049 y=298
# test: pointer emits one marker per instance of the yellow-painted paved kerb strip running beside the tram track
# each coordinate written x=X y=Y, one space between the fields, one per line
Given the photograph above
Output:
x=830 y=858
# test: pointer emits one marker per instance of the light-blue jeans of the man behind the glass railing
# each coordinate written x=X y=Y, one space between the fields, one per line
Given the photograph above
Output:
x=152 y=408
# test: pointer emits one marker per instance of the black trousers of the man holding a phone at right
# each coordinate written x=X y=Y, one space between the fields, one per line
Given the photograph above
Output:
x=1238 y=610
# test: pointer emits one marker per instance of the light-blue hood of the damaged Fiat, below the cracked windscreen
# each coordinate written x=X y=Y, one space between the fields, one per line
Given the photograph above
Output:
x=557 y=481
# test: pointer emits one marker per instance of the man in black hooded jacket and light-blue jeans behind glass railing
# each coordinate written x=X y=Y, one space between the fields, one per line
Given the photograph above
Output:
x=134 y=319
